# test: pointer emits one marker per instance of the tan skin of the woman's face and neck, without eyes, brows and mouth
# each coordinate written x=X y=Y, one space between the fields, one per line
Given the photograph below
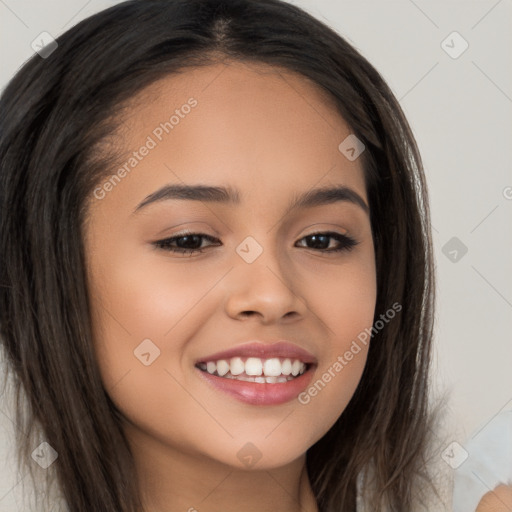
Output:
x=271 y=134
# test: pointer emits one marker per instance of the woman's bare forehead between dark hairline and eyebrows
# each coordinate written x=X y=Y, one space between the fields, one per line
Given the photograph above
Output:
x=253 y=127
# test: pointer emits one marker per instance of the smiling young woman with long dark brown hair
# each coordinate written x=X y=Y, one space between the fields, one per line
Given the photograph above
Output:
x=217 y=280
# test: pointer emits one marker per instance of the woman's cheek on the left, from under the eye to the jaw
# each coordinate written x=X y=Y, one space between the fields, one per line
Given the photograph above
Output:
x=141 y=314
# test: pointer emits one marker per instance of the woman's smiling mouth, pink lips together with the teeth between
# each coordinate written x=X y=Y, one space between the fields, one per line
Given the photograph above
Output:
x=259 y=373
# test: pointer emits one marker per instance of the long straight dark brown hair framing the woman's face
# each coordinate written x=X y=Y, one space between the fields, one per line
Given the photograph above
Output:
x=57 y=111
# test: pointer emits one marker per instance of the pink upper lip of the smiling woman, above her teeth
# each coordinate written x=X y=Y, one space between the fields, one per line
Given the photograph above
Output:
x=256 y=348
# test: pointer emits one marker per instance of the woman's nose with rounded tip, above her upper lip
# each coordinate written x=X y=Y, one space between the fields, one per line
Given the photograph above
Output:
x=266 y=289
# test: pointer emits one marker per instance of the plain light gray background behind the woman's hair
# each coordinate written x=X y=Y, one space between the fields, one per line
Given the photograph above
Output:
x=460 y=113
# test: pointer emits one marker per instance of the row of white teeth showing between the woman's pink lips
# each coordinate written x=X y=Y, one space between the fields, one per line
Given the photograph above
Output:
x=254 y=369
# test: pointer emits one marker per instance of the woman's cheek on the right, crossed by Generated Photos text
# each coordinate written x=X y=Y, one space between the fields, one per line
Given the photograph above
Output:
x=346 y=305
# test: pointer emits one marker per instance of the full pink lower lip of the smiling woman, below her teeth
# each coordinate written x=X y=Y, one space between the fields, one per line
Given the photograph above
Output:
x=260 y=394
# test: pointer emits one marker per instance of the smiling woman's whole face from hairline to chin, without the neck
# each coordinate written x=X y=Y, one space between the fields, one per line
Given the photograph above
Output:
x=271 y=289
